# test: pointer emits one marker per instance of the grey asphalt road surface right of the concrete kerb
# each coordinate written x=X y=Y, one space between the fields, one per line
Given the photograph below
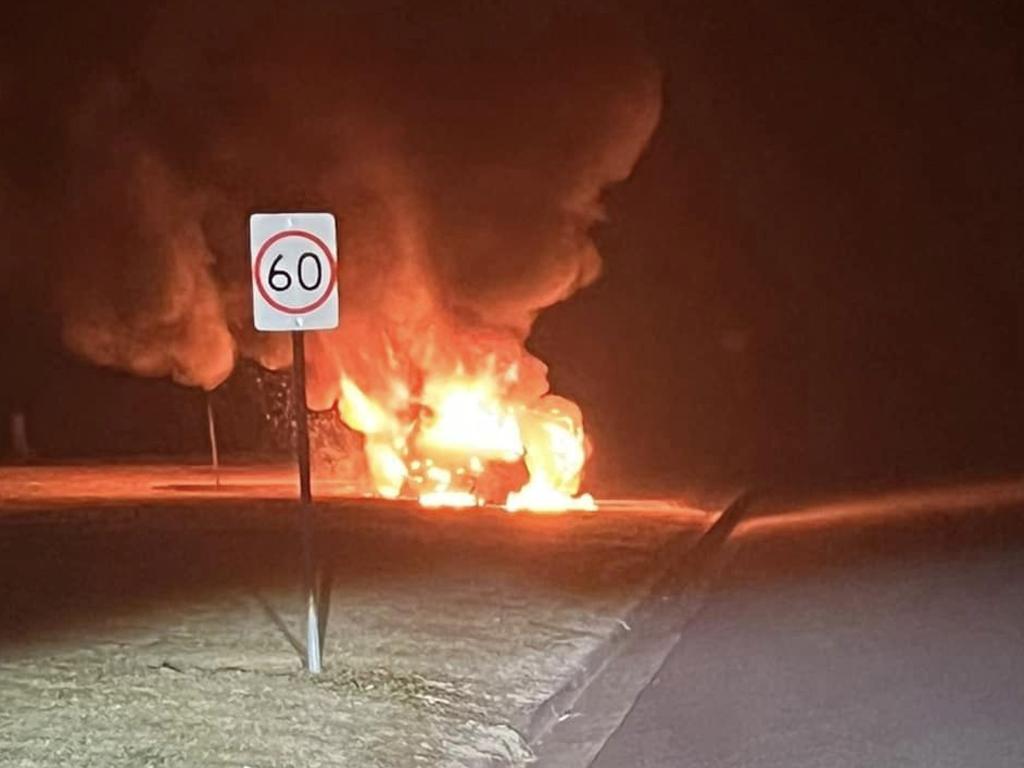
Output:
x=884 y=634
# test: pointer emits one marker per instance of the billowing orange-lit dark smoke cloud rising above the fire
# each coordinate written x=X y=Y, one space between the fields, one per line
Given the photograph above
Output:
x=464 y=153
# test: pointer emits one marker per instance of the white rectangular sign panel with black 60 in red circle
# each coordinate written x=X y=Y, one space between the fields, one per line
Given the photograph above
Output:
x=294 y=271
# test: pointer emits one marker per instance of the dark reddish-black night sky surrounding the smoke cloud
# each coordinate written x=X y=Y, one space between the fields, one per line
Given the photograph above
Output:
x=814 y=275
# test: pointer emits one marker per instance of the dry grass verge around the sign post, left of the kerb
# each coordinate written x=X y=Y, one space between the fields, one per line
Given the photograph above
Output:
x=163 y=630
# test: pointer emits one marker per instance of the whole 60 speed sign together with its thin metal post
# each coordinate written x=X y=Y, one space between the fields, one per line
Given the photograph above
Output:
x=295 y=289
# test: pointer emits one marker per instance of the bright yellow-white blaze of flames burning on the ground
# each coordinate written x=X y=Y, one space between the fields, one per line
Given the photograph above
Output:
x=455 y=436
